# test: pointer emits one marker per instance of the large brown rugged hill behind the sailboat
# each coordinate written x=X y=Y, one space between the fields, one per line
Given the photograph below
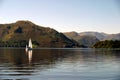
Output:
x=19 y=33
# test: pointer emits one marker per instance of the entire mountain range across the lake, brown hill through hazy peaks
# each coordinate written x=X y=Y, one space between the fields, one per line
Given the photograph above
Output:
x=48 y=37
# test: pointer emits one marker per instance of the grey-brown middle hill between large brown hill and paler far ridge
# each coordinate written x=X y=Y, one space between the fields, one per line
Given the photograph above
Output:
x=84 y=39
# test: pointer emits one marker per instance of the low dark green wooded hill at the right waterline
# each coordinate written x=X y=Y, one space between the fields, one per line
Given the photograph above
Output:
x=107 y=44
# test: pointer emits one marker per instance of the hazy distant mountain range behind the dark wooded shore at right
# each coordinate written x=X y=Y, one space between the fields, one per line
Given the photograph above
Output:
x=90 y=38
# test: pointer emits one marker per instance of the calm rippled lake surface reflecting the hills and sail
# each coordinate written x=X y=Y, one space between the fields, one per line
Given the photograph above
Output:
x=60 y=64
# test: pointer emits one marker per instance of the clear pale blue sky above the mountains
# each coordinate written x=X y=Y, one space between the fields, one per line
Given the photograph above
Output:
x=65 y=15
